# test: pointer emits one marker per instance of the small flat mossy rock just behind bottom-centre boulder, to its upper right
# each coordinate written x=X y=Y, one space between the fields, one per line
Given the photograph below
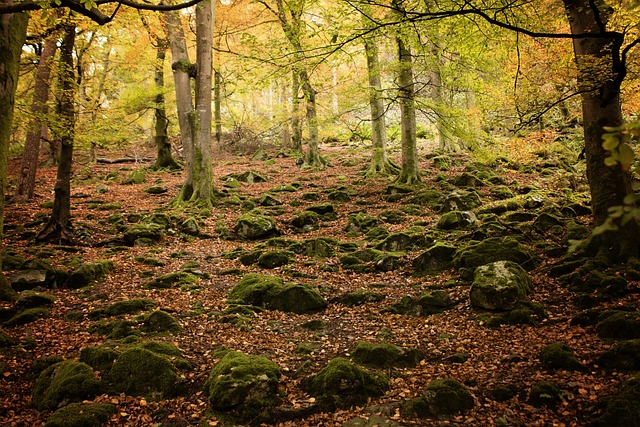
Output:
x=386 y=355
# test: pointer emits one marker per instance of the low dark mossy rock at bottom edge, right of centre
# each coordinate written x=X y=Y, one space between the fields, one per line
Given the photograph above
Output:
x=441 y=398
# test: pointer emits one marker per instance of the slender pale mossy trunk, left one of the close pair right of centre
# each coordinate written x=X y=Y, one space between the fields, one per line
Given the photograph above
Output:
x=380 y=164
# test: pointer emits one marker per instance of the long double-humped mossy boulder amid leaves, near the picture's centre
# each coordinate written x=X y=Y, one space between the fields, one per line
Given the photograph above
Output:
x=272 y=293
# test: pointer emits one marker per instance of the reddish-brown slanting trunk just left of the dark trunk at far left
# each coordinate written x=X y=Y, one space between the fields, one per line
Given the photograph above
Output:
x=39 y=109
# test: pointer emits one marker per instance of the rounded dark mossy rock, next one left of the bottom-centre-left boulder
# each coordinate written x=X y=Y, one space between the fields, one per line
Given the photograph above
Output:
x=141 y=372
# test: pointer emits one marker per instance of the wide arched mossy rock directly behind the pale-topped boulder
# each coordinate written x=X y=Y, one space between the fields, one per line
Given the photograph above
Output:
x=491 y=250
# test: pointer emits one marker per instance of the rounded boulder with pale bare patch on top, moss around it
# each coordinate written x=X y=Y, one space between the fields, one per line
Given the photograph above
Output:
x=499 y=286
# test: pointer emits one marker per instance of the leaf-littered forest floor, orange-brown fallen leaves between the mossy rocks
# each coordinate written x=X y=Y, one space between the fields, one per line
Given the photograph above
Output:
x=508 y=355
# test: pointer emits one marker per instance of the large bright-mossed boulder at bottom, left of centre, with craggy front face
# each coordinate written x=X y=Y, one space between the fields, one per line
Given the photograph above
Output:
x=244 y=384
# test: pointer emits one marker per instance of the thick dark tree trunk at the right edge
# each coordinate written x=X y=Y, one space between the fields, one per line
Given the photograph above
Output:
x=600 y=73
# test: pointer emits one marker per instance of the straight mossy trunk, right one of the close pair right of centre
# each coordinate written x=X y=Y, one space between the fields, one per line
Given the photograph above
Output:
x=409 y=171
